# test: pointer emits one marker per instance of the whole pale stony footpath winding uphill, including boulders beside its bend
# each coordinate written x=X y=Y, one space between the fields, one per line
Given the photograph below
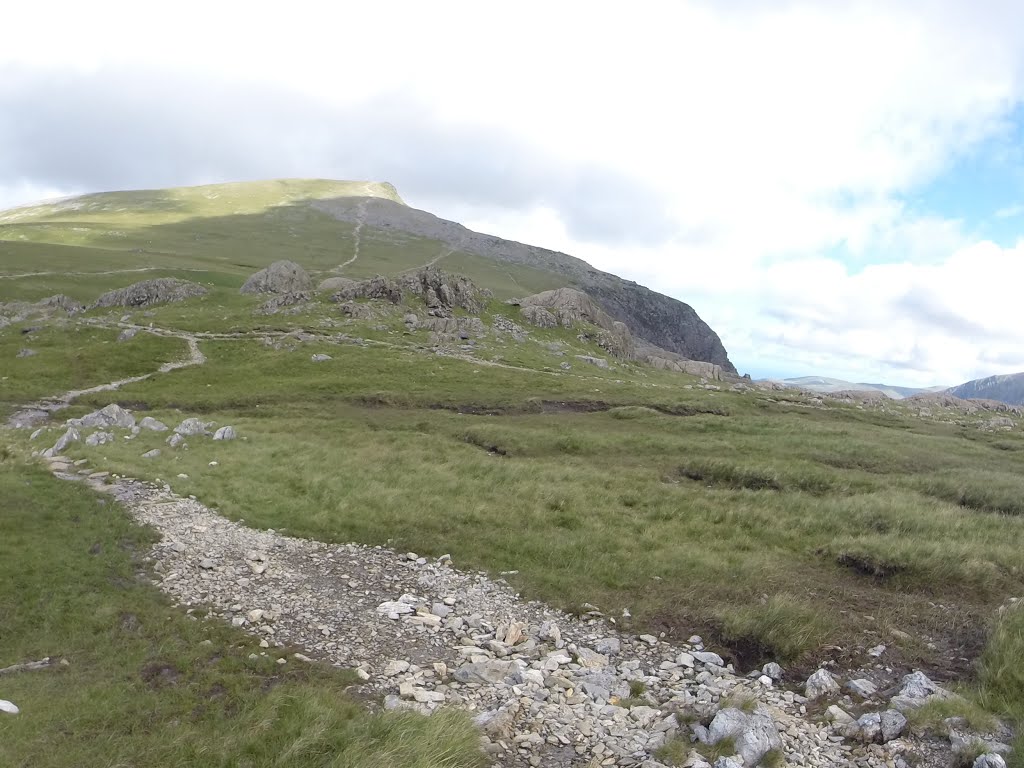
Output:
x=546 y=689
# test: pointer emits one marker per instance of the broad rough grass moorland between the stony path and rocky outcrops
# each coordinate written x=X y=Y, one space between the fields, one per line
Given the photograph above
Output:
x=601 y=510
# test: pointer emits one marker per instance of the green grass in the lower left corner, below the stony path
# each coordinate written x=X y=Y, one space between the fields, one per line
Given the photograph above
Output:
x=146 y=685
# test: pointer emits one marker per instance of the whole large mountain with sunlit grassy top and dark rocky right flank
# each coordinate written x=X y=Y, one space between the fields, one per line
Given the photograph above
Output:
x=353 y=229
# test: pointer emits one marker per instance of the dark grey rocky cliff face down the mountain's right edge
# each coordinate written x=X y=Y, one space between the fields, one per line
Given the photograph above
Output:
x=660 y=320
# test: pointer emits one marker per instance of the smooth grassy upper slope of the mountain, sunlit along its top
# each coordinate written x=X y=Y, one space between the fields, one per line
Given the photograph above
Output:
x=219 y=236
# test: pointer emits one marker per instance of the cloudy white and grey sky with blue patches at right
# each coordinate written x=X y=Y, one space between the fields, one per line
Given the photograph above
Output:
x=837 y=188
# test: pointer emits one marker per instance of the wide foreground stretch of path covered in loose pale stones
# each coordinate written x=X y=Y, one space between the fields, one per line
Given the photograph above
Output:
x=542 y=685
